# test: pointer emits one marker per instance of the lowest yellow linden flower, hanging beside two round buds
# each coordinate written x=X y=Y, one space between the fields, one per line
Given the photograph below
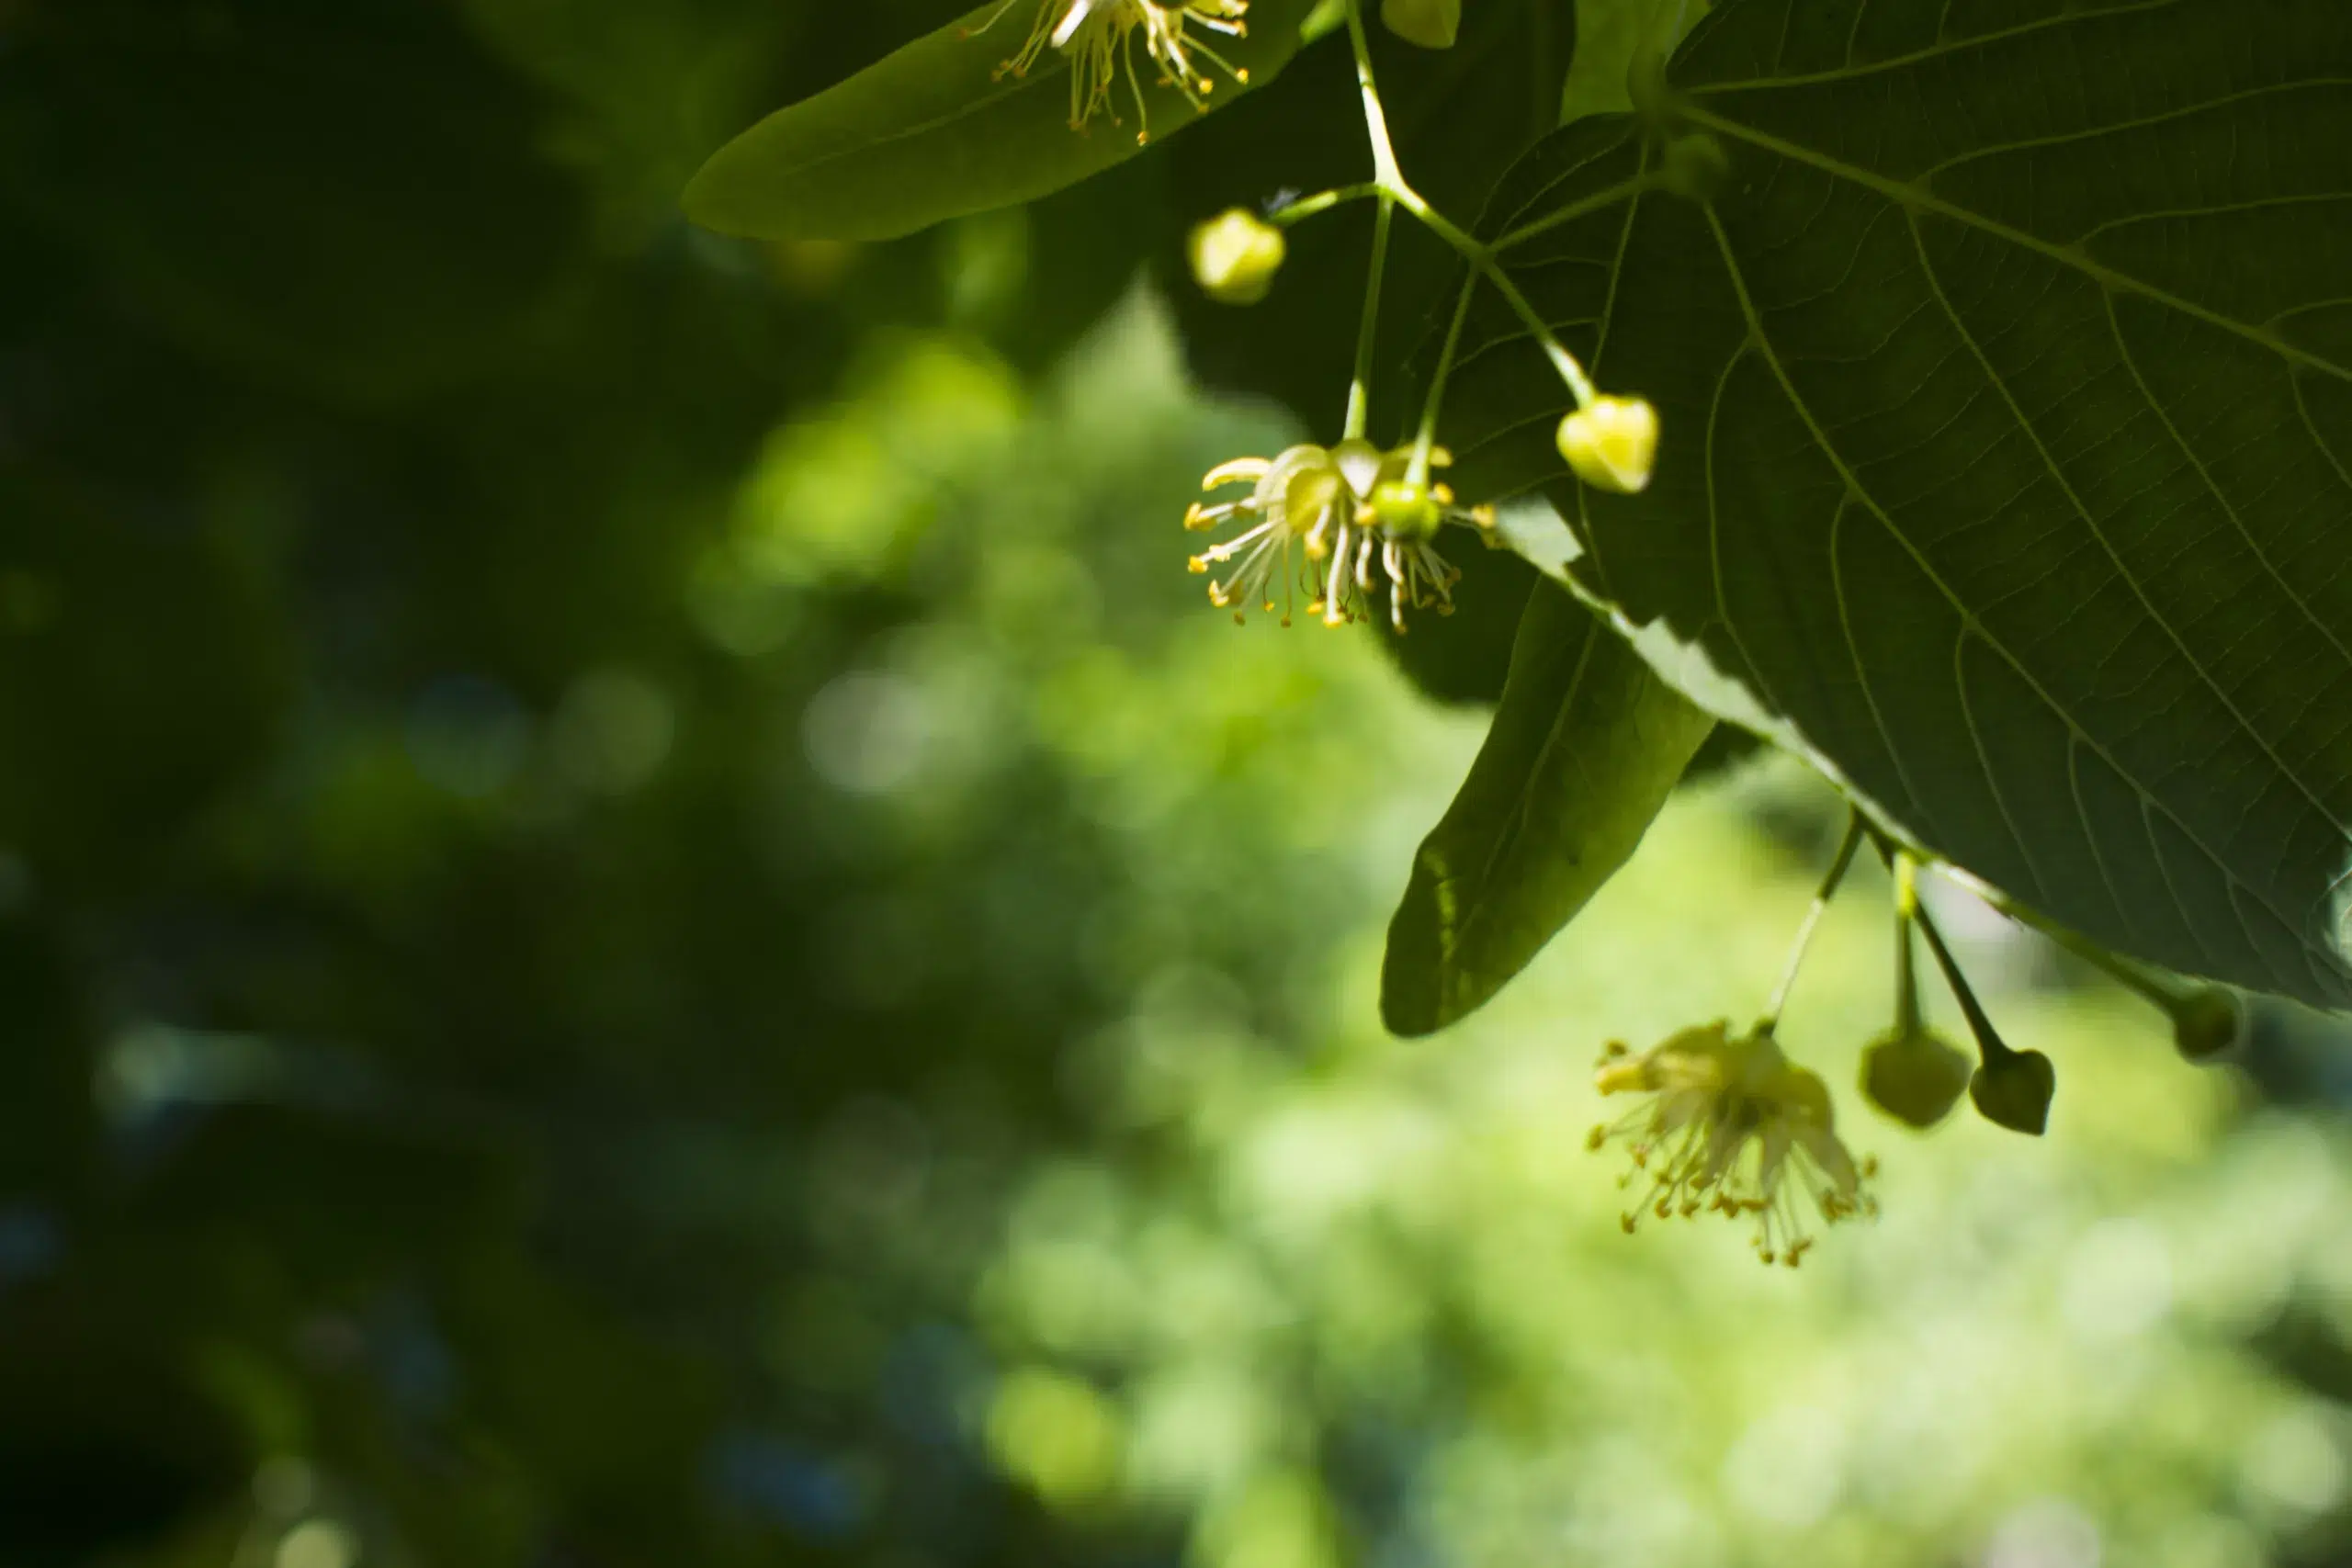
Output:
x=1739 y=1130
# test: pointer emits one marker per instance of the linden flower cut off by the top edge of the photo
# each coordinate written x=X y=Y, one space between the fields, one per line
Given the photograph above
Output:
x=1100 y=39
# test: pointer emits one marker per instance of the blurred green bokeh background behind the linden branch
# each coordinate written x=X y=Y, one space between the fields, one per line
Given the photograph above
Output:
x=643 y=923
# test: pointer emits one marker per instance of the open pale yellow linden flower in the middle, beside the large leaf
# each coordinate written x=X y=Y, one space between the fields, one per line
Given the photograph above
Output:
x=1332 y=525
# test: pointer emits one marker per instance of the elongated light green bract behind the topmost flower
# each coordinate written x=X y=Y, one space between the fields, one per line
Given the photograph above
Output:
x=937 y=133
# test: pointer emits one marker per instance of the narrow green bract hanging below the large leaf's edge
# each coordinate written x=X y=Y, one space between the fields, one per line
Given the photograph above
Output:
x=1586 y=746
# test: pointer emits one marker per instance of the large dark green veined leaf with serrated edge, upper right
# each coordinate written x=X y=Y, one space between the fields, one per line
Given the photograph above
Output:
x=2007 y=394
